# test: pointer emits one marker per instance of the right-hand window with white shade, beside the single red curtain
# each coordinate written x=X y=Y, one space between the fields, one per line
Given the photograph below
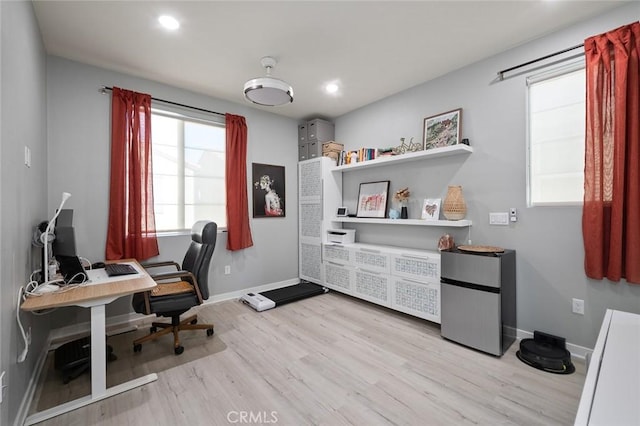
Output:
x=556 y=126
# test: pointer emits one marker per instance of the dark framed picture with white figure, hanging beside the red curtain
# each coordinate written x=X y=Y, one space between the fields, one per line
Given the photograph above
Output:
x=268 y=190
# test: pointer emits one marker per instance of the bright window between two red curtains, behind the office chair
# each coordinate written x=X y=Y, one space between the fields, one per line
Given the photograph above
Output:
x=188 y=171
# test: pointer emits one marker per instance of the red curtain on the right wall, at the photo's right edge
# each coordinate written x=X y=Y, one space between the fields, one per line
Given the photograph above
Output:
x=611 y=212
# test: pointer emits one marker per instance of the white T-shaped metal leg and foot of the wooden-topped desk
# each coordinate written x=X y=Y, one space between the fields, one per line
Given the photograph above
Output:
x=99 y=389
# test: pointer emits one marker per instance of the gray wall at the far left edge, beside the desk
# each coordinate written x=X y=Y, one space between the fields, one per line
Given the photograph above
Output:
x=22 y=190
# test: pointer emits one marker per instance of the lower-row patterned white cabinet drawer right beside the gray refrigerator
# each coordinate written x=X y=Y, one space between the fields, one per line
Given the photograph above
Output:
x=415 y=298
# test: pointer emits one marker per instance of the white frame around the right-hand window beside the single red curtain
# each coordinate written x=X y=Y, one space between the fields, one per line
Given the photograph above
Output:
x=549 y=73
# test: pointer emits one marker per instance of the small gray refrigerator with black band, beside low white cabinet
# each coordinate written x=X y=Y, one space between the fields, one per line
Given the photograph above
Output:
x=478 y=299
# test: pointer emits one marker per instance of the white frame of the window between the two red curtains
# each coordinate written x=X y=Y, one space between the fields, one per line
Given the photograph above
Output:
x=194 y=117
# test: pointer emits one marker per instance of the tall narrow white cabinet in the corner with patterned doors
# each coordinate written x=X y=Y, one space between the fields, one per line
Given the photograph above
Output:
x=319 y=196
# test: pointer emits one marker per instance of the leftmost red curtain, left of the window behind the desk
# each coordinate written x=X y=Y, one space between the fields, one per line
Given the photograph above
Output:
x=131 y=232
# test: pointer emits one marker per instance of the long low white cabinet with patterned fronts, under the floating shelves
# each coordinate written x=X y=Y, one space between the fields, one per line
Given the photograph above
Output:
x=406 y=280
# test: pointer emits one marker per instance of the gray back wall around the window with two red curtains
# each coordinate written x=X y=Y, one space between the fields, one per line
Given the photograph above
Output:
x=78 y=138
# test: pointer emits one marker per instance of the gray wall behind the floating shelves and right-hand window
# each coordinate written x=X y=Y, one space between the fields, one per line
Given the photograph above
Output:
x=548 y=240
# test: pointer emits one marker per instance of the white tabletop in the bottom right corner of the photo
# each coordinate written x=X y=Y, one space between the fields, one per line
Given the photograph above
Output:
x=611 y=392
